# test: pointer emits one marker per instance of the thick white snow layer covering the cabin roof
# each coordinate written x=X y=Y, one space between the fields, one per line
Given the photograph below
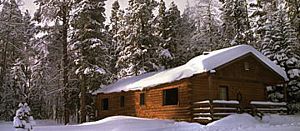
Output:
x=199 y=64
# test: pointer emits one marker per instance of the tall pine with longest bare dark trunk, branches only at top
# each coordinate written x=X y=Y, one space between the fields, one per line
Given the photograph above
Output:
x=59 y=11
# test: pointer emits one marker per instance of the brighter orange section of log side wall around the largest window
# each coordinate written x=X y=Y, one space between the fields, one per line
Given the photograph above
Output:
x=154 y=107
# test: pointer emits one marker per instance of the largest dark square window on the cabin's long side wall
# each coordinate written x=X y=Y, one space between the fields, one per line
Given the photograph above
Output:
x=170 y=96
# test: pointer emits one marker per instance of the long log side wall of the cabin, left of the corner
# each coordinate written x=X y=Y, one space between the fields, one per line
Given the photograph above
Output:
x=153 y=107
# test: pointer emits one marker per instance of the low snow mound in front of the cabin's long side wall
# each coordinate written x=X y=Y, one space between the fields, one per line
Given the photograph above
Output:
x=121 y=123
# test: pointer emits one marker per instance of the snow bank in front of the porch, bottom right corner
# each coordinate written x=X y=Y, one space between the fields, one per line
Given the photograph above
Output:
x=245 y=122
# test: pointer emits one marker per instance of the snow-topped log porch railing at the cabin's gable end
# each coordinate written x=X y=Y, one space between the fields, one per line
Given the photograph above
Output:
x=210 y=110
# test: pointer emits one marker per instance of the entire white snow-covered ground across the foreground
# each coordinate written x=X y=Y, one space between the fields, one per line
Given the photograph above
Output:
x=238 y=122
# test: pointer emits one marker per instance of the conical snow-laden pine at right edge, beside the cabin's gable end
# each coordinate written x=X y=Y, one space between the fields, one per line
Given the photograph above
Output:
x=278 y=42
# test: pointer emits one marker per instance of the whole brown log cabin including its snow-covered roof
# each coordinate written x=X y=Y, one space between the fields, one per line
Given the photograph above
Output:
x=236 y=74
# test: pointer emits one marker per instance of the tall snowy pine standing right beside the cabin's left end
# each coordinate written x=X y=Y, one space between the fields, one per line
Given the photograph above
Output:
x=91 y=48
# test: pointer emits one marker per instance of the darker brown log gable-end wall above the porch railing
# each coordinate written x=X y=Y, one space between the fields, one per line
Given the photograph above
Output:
x=250 y=83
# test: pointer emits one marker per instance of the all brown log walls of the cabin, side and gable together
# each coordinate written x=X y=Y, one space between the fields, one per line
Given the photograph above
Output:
x=250 y=83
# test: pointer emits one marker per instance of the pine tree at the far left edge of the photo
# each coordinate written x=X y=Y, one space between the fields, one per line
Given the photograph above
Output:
x=11 y=49
